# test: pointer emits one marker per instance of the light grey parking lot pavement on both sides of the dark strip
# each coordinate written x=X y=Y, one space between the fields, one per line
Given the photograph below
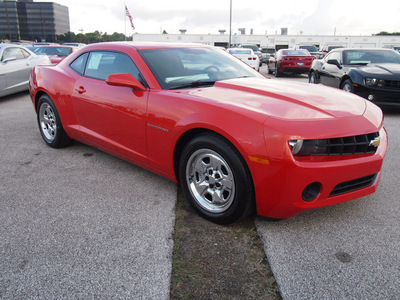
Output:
x=61 y=235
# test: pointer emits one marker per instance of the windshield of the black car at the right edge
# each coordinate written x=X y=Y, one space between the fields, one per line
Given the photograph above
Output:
x=363 y=57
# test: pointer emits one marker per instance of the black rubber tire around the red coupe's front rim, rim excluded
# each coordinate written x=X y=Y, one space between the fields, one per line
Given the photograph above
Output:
x=243 y=184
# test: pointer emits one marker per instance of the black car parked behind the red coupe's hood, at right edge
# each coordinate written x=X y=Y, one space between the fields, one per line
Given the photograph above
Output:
x=370 y=73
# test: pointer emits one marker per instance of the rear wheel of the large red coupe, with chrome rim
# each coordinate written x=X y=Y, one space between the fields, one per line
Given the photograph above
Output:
x=50 y=125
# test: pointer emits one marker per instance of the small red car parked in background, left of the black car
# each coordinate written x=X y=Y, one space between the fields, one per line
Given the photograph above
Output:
x=291 y=61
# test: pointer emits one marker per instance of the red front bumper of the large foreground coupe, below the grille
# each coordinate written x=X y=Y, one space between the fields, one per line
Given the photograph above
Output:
x=280 y=185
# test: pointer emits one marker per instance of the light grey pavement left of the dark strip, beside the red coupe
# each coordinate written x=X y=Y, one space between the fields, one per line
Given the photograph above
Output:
x=77 y=223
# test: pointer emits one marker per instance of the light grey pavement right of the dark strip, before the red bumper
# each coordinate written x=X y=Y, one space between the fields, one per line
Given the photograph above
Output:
x=346 y=251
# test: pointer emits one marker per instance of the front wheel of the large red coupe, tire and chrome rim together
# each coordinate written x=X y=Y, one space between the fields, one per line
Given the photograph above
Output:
x=215 y=179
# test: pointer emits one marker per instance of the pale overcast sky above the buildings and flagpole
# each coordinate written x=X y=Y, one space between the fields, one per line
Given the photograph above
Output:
x=347 y=17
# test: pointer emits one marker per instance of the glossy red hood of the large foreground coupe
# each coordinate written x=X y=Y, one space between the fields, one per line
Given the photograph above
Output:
x=276 y=98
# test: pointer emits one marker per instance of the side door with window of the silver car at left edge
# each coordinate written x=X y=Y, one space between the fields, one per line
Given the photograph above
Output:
x=16 y=68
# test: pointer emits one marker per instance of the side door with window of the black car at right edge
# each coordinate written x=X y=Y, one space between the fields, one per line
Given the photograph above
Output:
x=330 y=74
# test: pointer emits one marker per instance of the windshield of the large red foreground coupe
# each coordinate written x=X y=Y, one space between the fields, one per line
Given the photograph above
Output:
x=189 y=67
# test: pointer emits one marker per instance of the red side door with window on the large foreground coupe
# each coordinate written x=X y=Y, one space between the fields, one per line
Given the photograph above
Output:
x=111 y=117
